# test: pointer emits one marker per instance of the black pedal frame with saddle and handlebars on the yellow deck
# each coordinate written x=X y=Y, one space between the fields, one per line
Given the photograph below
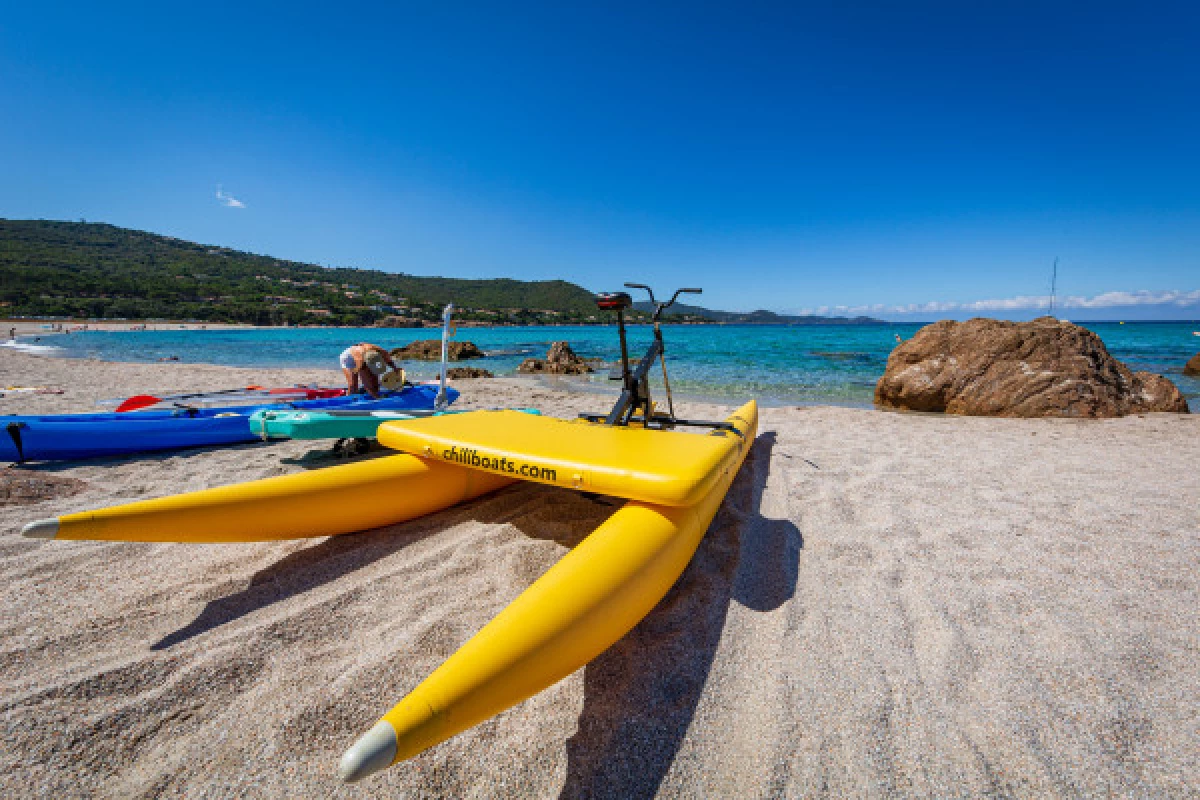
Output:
x=635 y=394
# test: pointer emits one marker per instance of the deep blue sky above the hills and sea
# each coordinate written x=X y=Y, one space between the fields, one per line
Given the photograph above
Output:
x=845 y=158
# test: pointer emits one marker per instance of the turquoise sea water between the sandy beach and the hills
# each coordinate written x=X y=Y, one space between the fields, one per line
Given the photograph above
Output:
x=777 y=364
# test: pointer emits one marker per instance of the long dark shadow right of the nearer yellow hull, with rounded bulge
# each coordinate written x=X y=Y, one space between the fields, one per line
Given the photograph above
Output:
x=641 y=695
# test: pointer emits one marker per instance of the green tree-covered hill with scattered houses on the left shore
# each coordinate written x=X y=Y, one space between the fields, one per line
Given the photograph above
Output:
x=77 y=269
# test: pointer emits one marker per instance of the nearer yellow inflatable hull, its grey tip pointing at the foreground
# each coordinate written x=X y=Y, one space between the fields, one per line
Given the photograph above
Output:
x=596 y=596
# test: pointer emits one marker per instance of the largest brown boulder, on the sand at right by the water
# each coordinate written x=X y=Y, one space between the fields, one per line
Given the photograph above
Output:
x=991 y=368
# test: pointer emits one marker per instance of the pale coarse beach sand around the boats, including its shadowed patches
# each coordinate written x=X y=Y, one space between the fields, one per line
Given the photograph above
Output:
x=886 y=606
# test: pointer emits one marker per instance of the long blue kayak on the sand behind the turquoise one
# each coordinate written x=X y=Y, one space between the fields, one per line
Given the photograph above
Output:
x=62 y=437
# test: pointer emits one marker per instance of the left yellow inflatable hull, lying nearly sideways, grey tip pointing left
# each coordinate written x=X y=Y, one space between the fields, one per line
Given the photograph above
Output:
x=320 y=503
